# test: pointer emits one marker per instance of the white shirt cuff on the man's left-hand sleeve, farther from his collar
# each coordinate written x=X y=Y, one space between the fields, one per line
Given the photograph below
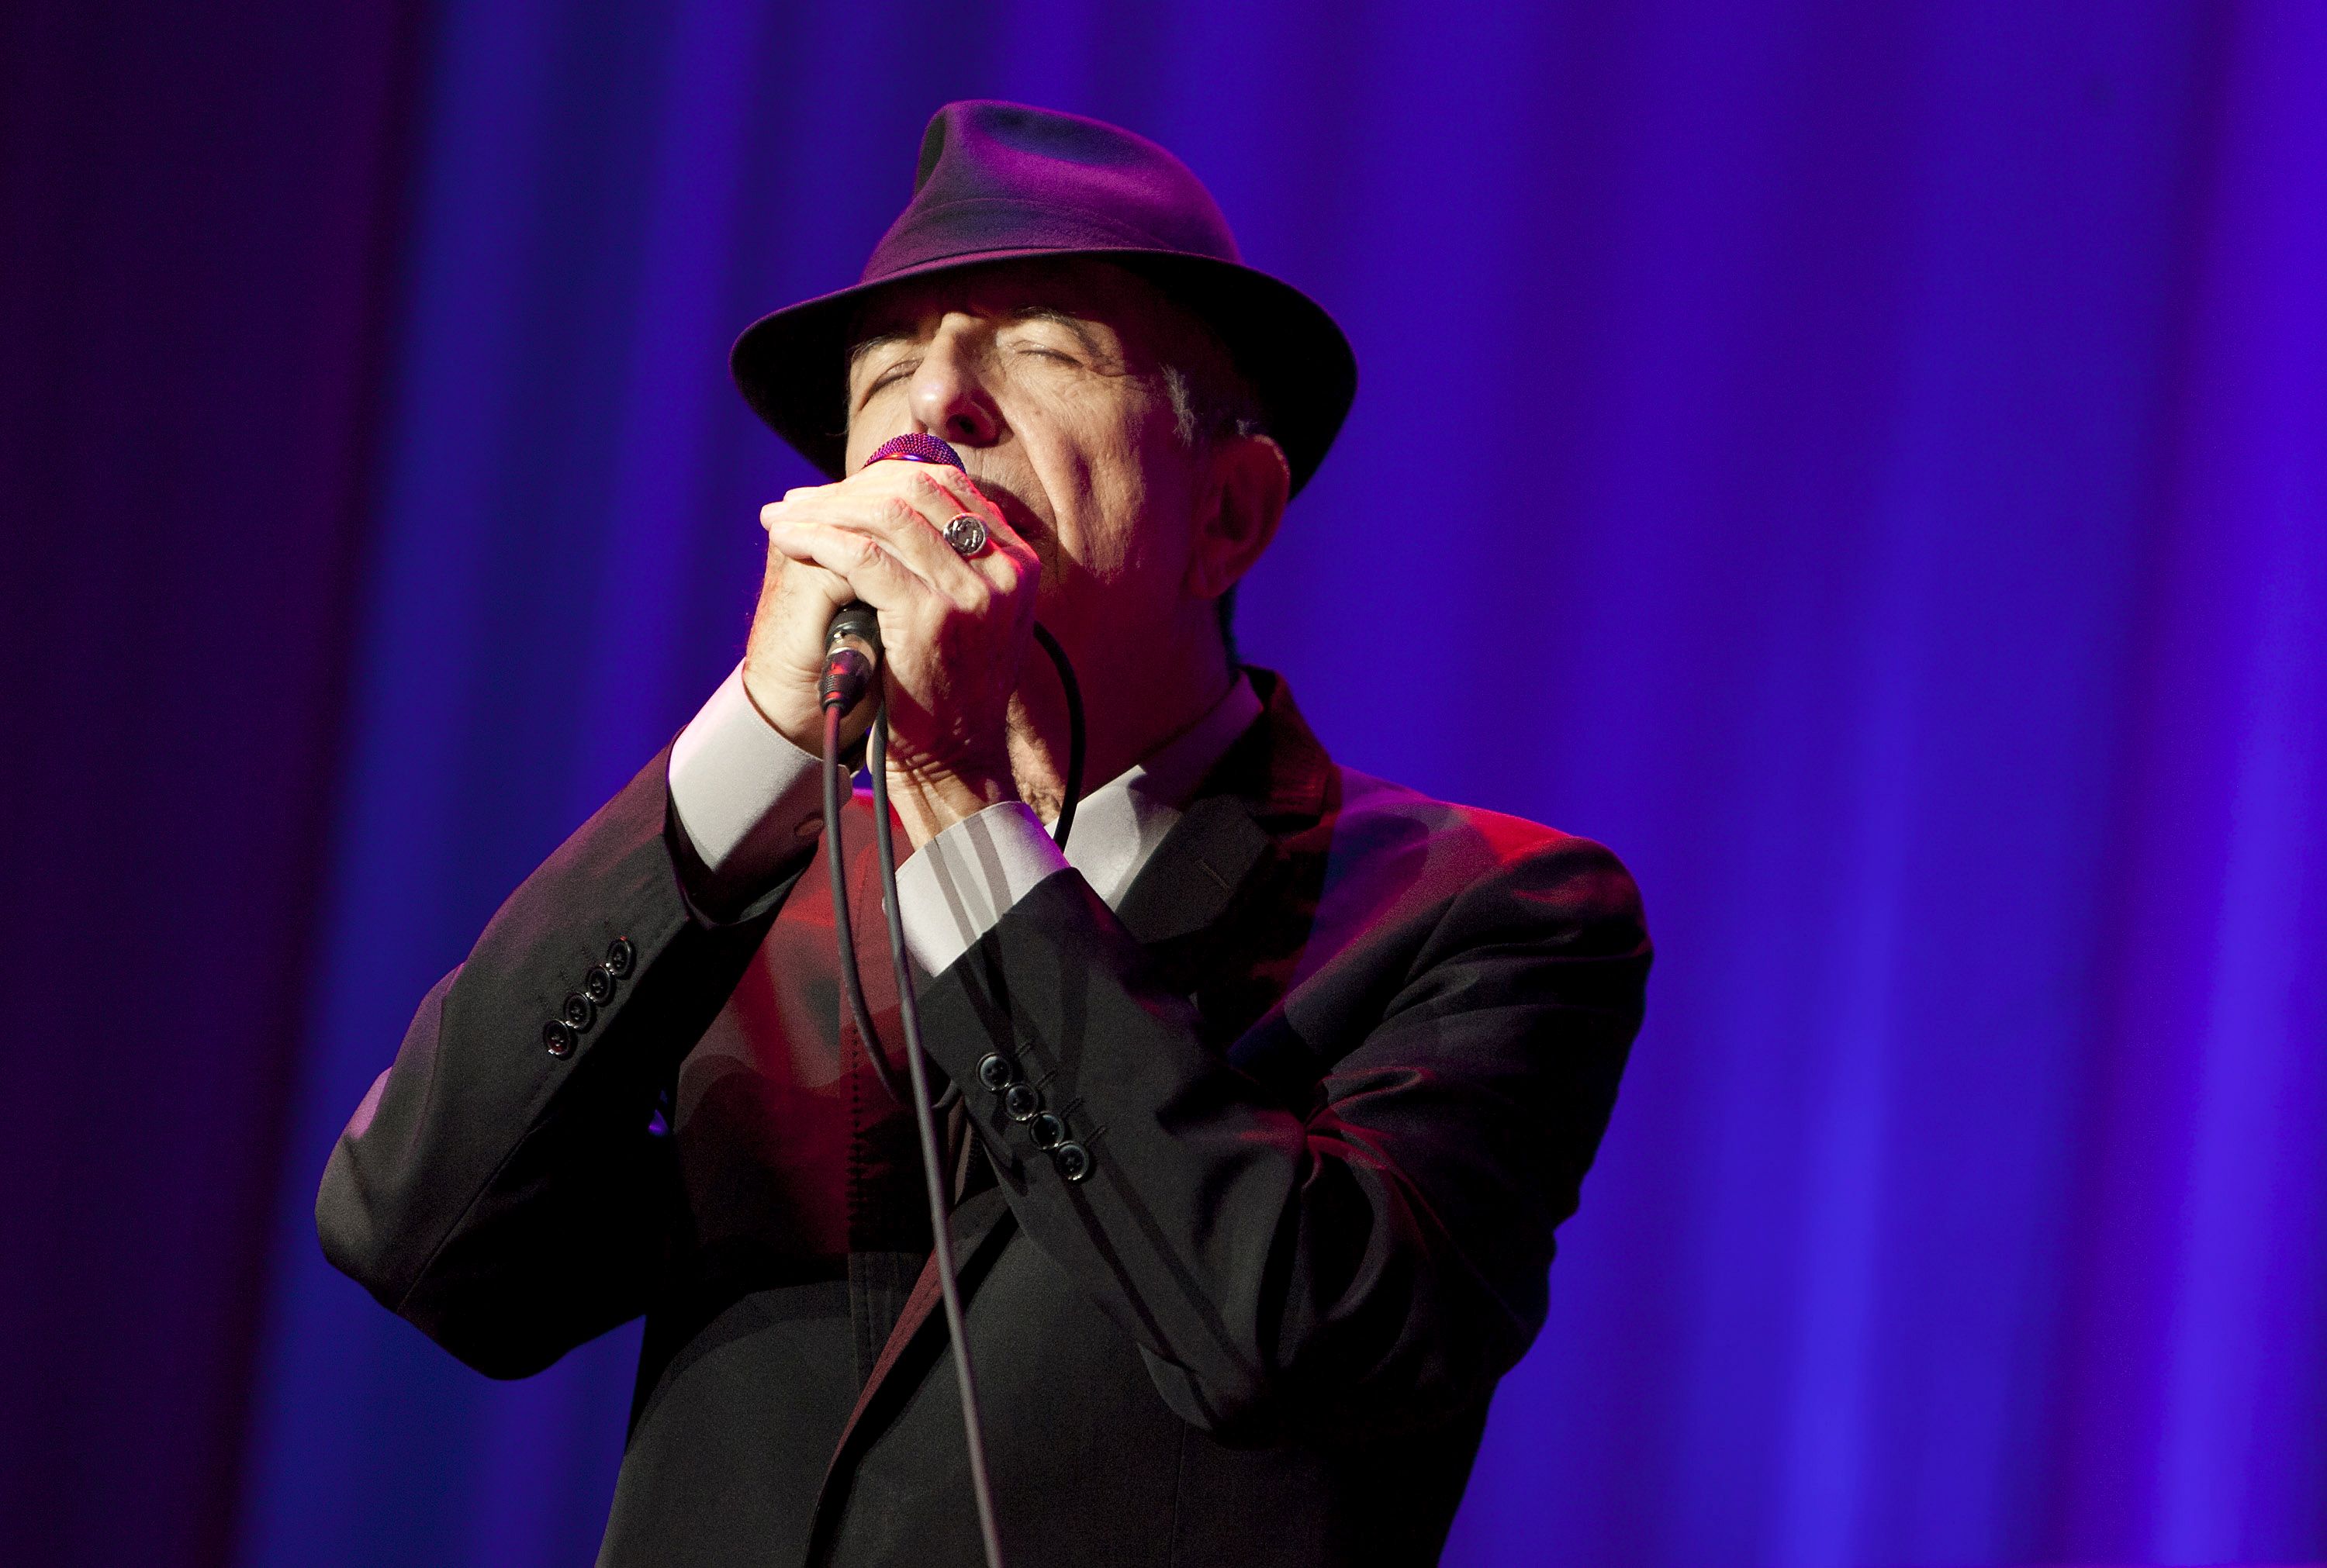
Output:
x=746 y=797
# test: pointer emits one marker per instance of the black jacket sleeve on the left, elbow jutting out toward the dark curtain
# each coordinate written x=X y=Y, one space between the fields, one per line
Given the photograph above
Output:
x=508 y=1199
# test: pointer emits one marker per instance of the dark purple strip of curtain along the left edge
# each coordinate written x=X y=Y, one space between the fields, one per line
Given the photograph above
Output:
x=197 y=236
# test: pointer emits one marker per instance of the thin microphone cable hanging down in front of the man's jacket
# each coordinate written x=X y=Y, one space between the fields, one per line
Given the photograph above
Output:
x=846 y=680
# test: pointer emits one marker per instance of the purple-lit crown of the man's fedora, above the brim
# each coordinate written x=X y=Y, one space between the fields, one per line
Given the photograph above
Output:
x=1013 y=178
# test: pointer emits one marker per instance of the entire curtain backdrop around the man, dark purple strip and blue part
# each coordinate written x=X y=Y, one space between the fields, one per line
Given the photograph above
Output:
x=1886 y=448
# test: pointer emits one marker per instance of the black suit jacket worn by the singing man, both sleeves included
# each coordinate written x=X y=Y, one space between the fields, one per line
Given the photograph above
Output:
x=1337 y=1067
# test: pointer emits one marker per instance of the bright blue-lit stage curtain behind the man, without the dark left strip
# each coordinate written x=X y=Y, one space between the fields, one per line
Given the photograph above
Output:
x=1884 y=450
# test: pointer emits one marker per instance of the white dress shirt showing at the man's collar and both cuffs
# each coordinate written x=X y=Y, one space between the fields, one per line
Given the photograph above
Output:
x=748 y=799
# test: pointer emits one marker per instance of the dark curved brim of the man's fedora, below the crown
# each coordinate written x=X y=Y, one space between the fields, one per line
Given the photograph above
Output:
x=792 y=364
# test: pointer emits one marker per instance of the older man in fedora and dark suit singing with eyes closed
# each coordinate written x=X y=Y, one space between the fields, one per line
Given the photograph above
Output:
x=1267 y=1095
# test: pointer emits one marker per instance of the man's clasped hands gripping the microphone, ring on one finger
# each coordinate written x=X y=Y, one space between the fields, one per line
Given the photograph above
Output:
x=953 y=632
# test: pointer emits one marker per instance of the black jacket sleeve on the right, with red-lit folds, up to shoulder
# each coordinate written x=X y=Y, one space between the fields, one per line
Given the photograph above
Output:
x=1367 y=1250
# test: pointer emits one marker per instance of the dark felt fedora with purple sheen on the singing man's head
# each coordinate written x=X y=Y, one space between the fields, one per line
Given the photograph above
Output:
x=1002 y=180
